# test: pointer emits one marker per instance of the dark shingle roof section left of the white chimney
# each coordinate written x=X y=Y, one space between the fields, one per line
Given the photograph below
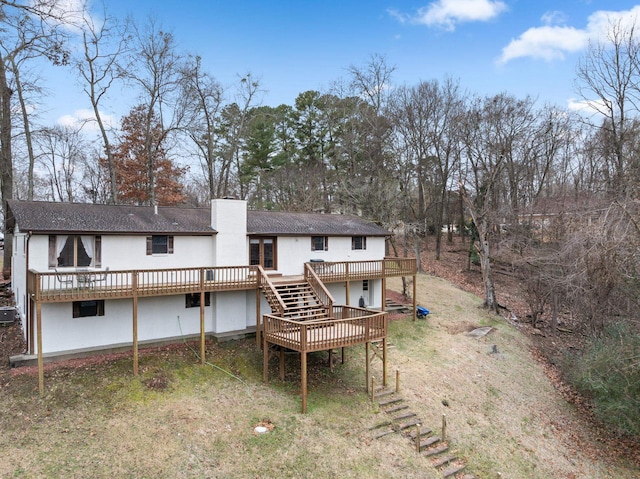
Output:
x=45 y=217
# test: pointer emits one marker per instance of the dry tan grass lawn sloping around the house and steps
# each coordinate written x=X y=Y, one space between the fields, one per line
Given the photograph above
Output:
x=179 y=419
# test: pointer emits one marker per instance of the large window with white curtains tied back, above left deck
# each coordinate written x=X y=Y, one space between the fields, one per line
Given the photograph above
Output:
x=75 y=251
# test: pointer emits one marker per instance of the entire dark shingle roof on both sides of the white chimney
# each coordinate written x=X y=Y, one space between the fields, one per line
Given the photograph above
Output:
x=45 y=217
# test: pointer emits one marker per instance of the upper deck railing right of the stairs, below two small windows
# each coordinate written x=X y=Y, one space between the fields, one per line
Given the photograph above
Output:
x=335 y=271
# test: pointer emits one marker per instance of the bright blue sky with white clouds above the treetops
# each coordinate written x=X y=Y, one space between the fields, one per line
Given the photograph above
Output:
x=523 y=47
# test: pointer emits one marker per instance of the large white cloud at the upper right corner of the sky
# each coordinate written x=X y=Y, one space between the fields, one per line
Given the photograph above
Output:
x=551 y=42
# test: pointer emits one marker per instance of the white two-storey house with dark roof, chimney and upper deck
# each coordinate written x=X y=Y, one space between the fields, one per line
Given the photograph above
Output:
x=92 y=277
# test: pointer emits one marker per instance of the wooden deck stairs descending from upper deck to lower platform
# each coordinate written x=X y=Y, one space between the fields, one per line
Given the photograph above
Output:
x=301 y=302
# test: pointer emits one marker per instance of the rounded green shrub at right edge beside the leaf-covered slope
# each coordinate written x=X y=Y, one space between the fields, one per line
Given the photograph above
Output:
x=608 y=371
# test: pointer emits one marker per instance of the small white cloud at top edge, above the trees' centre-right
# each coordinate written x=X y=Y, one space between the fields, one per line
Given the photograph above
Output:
x=448 y=13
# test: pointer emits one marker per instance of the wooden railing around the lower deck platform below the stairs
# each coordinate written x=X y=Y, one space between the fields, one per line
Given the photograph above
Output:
x=352 y=326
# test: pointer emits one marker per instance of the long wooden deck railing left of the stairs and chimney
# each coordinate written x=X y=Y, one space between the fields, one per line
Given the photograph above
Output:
x=79 y=284
